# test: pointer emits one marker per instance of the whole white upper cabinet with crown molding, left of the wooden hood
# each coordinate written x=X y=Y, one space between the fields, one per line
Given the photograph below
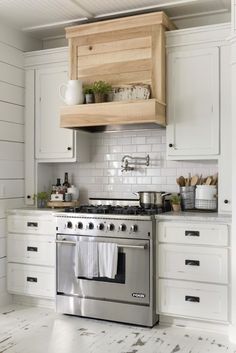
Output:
x=45 y=141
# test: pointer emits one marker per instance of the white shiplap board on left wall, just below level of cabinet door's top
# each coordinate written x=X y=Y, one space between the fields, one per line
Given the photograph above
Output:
x=11 y=74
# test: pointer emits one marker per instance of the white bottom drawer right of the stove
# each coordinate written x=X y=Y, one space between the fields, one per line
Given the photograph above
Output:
x=195 y=300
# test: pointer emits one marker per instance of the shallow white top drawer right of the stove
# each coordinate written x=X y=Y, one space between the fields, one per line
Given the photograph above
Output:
x=192 y=233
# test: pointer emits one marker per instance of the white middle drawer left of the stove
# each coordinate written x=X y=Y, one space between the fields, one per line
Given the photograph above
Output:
x=31 y=249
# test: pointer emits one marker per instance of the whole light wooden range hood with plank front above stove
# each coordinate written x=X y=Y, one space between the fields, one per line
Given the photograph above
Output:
x=123 y=51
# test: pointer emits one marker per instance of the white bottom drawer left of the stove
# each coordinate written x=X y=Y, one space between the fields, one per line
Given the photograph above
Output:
x=31 y=280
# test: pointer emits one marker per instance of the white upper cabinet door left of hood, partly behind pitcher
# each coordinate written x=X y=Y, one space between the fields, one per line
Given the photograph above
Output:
x=52 y=142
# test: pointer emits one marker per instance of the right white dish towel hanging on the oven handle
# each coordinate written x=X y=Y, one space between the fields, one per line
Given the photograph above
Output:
x=108 y=259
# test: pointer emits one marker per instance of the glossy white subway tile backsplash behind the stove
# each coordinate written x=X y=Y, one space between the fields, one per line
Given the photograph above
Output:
x=102 y=177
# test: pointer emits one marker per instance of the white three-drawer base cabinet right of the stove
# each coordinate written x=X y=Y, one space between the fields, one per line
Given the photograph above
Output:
x=192 y=268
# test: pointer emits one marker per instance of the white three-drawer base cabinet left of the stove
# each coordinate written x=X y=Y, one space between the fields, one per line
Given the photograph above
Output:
x=31 y=253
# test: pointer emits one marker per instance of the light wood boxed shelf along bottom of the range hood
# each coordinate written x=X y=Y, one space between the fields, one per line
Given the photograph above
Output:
x=114 y=113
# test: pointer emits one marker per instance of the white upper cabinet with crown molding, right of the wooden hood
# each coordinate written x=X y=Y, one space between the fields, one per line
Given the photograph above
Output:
x=194 y=92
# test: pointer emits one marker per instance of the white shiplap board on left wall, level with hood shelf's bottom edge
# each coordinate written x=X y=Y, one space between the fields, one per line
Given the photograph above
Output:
x=11 y=132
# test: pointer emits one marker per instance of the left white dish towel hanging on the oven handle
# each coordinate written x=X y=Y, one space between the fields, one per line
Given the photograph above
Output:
x=86 y=259
